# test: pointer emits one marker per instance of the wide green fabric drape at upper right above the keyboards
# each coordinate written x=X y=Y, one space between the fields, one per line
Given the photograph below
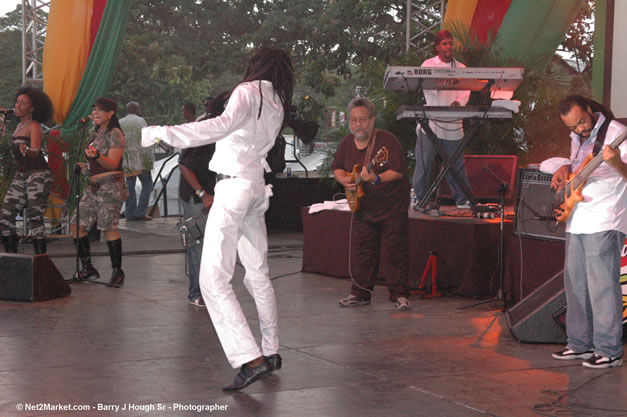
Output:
x=533 y=29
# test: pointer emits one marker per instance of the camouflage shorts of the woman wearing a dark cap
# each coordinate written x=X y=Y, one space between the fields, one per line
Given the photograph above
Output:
x=101 y=204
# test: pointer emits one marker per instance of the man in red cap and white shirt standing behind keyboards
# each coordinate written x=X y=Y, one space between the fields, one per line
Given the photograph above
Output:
x=449 y=132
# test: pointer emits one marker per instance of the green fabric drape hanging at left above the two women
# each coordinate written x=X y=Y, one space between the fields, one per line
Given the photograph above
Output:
x=102 y=59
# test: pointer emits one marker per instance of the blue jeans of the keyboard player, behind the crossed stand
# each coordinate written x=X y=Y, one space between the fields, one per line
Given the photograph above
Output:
x=425 y=154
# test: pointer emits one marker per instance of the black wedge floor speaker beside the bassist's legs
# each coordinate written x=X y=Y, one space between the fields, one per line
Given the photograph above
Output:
x=540 y=317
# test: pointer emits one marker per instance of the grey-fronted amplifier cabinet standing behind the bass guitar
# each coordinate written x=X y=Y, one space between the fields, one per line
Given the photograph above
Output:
x=534 y=207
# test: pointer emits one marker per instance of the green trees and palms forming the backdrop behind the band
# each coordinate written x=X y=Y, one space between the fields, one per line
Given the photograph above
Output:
x=180 y=50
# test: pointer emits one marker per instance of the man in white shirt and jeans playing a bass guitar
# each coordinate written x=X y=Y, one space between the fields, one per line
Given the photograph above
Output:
x=596 y=224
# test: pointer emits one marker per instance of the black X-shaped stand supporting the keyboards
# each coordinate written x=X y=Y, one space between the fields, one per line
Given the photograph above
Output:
x=447 y=162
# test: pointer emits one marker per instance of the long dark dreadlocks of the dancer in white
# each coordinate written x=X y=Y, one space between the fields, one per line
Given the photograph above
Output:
x=272 y=65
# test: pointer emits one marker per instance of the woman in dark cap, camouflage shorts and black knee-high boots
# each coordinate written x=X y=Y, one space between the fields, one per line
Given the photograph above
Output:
x=107 y=190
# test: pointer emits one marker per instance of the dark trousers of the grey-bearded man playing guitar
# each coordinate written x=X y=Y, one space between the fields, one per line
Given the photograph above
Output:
x=380 y=247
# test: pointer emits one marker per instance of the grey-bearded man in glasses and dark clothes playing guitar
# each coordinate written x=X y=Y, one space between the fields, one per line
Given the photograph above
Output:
x=379 y=238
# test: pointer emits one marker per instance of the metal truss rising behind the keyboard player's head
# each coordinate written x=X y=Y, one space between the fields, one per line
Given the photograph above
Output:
x=423 y=18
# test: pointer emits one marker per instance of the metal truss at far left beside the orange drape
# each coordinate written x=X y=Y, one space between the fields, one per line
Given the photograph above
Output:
x=33 y=36
